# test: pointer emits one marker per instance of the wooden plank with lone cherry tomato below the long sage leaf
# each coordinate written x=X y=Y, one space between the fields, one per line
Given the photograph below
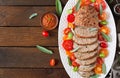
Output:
x=27 y=57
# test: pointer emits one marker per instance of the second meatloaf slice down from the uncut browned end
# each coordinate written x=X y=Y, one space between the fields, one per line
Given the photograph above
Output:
x=84 y=41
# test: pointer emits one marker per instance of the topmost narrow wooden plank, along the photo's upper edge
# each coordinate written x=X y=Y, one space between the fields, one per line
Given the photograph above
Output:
x=29 y=2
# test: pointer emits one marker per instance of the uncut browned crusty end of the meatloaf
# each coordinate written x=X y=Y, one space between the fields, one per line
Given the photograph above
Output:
x=87 y=16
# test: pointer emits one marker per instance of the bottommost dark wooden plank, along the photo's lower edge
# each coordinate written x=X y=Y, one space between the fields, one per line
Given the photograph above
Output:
x=33 y=73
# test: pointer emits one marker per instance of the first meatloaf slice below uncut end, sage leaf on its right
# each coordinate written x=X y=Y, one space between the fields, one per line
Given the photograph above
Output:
x=86 y=32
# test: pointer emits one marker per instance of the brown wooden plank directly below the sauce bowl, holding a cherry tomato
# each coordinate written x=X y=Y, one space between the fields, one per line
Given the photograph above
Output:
x=26 y=36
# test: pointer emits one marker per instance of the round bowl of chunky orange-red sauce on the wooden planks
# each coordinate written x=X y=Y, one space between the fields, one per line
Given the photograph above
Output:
x=49 y=21
